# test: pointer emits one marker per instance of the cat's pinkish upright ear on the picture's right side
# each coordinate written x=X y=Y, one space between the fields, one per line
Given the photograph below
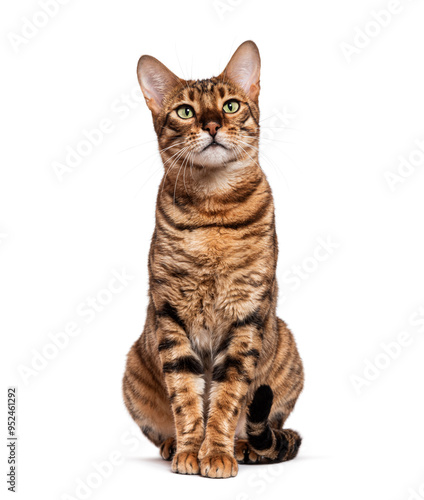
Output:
x=244 y=69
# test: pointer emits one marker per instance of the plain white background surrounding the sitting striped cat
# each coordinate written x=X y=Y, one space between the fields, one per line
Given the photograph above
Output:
x=332 y=129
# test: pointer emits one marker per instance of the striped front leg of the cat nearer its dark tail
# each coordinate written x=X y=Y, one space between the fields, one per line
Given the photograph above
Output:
x=232 y=375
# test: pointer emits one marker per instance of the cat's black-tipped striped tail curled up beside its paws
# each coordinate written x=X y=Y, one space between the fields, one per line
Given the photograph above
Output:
x=278 y=445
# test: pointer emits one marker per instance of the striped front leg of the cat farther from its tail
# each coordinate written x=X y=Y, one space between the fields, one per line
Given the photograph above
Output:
x=183 y=371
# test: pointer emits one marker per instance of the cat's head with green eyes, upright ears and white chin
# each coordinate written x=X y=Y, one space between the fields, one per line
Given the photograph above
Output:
x=206 y=123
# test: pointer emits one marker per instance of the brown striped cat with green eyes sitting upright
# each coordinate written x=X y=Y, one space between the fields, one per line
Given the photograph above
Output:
x=215 y=373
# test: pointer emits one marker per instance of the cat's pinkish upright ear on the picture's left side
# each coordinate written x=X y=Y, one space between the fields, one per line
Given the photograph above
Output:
x=156 y=81
